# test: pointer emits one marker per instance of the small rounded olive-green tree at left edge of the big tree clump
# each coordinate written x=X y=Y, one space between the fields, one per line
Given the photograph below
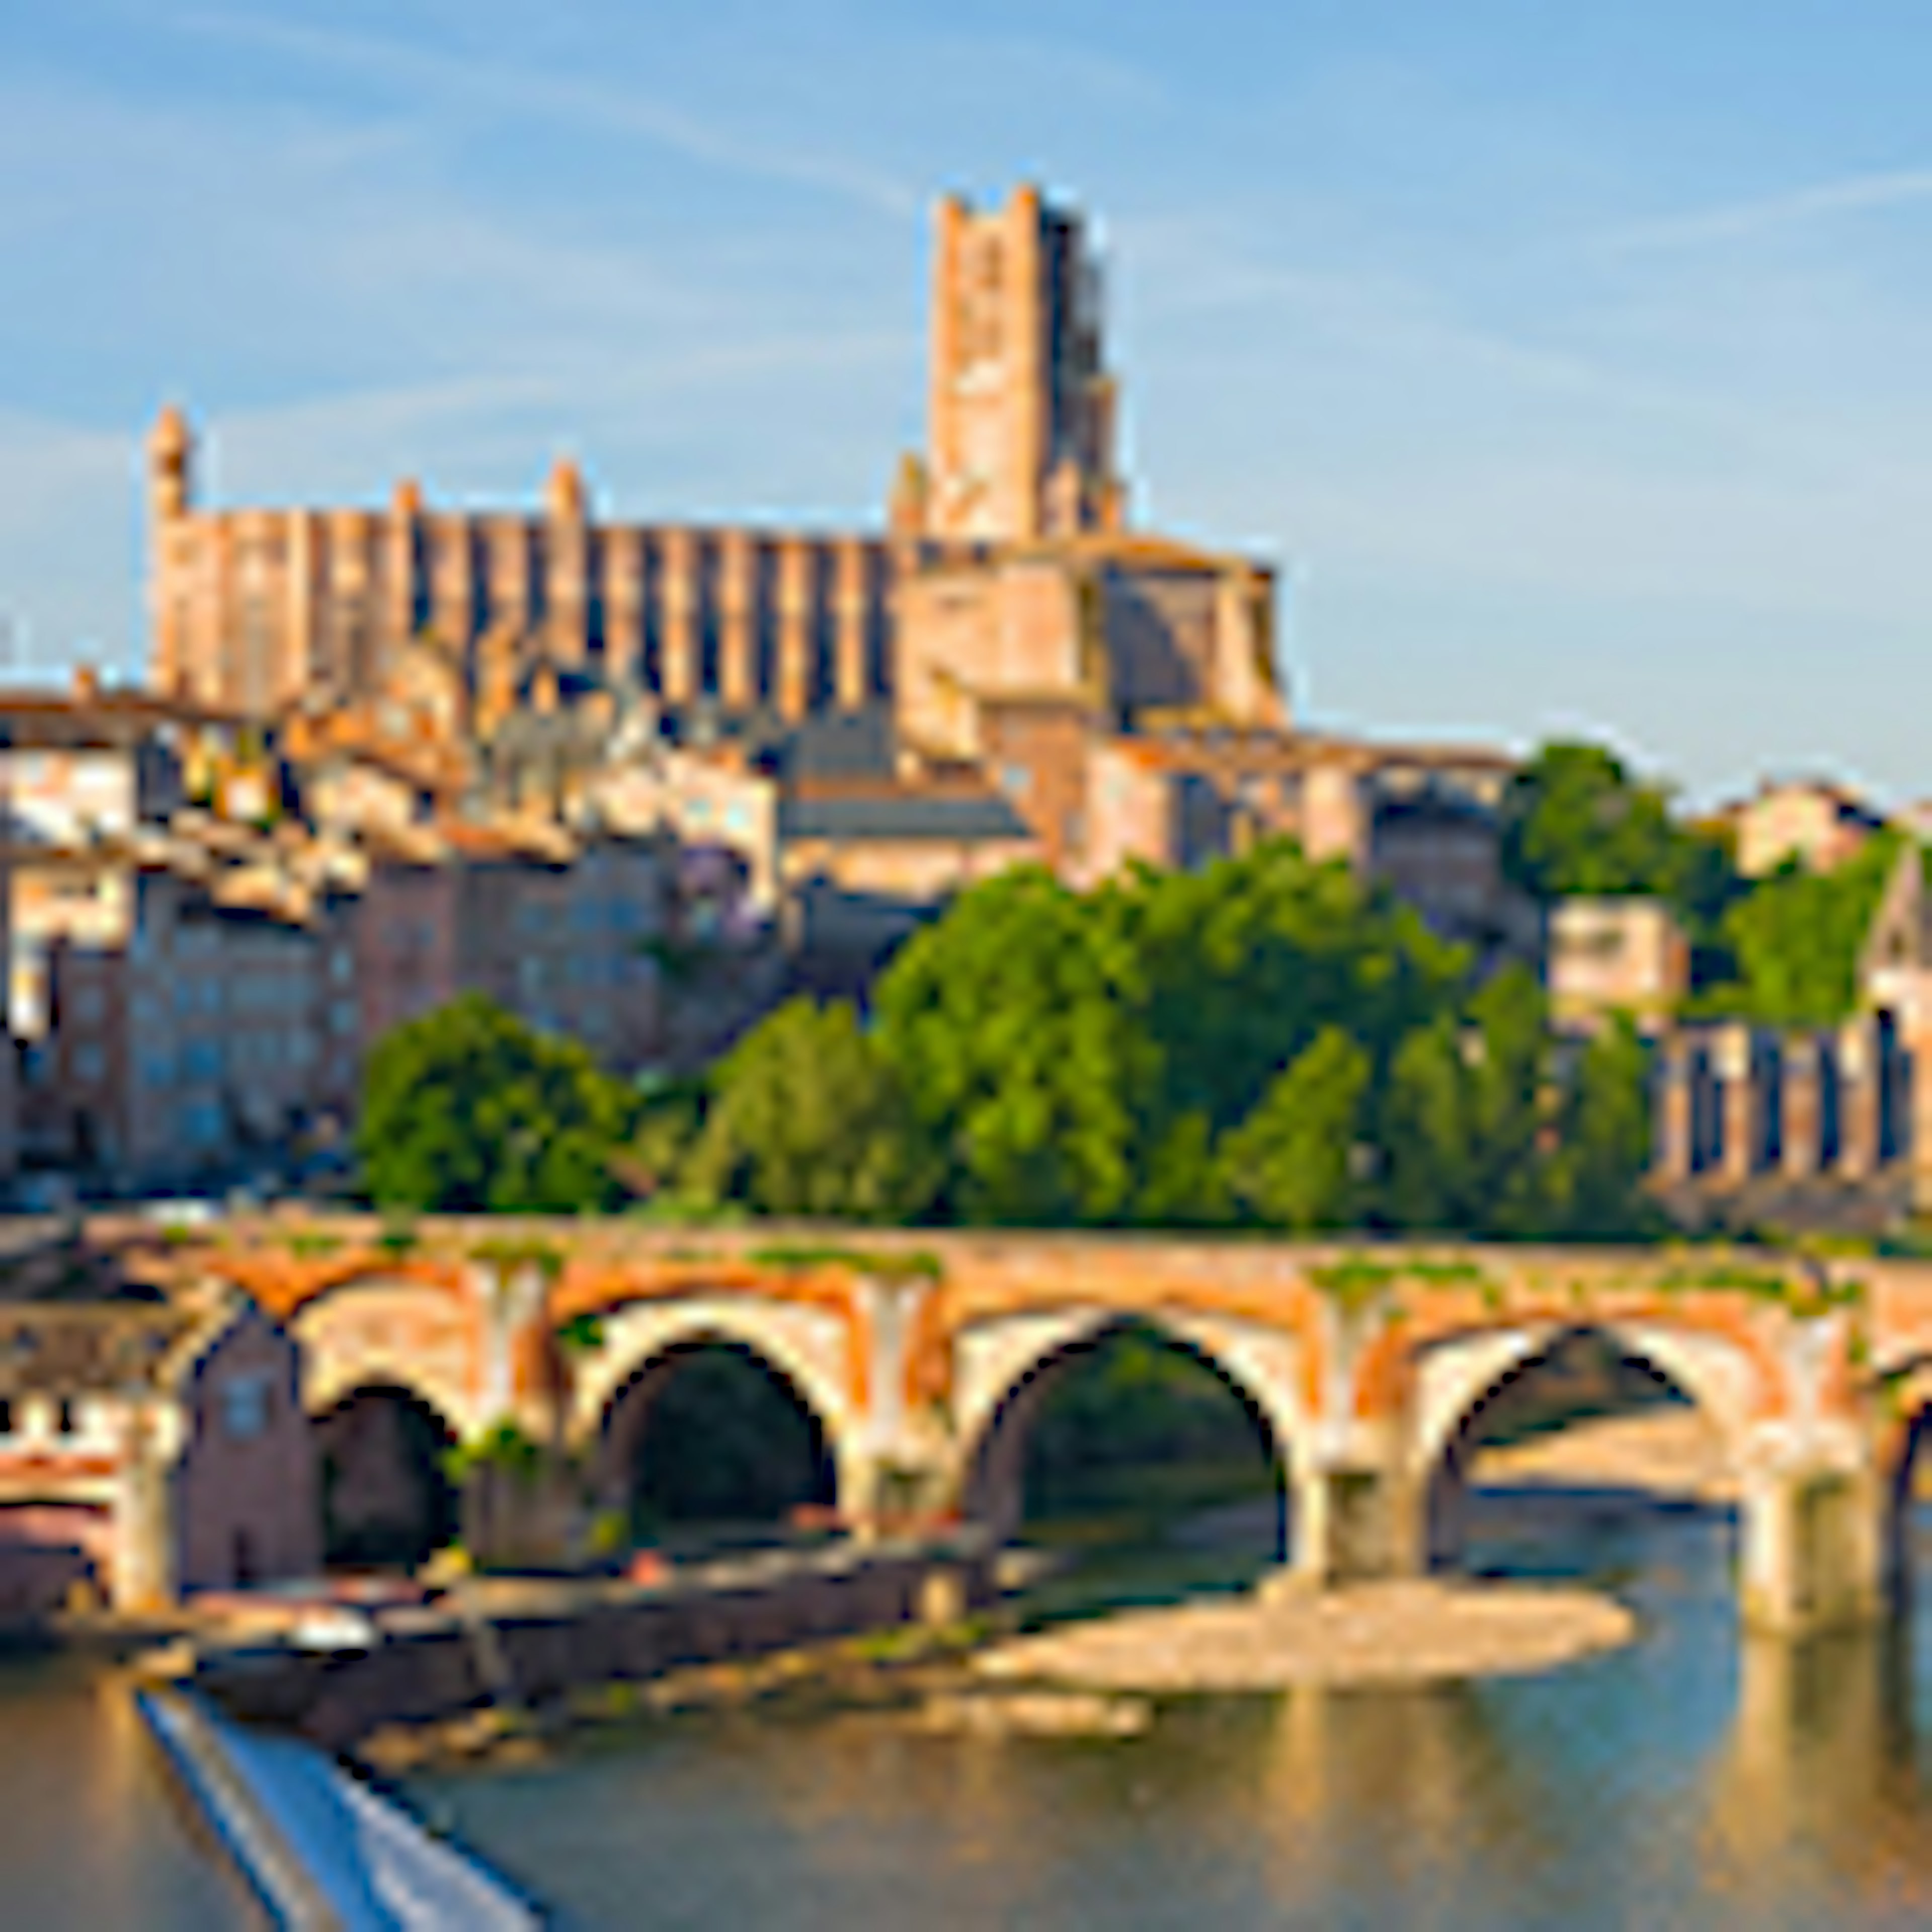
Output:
x=809 y=1120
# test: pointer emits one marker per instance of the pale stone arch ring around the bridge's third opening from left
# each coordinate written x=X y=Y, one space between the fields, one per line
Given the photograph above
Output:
x=1021 y=1363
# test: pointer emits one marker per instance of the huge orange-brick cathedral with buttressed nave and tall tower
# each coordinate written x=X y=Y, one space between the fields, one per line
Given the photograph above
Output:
x=1004 y=669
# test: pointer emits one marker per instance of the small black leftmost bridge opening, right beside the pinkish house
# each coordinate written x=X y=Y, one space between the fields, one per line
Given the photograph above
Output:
x=385 y=1487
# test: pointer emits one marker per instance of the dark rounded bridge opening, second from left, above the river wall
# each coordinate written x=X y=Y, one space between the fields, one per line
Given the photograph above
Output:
x=710 y=1442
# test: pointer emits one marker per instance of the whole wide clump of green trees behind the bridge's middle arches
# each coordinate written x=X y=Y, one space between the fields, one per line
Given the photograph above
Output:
x=1263 y=1040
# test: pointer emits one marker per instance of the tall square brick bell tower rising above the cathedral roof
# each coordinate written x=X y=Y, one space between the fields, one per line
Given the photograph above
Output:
x=1021 y=411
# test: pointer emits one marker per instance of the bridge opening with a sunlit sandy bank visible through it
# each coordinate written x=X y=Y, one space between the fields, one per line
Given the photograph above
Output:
x=1554 y=1500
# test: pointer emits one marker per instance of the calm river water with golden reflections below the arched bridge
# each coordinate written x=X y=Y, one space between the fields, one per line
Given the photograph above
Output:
x=1691 y=1780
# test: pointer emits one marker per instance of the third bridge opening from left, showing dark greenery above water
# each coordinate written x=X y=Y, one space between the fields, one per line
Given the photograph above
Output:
x=1125 y=1442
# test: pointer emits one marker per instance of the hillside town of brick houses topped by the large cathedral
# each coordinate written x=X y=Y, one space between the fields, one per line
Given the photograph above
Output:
x=640 y=783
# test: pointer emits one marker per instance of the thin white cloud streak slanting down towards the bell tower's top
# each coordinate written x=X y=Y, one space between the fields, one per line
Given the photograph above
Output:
x=571 y=101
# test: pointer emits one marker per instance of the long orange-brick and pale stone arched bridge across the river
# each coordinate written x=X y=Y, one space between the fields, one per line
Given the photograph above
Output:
x=924 y=1355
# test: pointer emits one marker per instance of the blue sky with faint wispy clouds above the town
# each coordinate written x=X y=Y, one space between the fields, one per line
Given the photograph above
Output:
x=1572 y=360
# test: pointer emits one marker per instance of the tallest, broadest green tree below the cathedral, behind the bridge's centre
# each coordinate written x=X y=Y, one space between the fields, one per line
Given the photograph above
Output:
x=1081 y=1056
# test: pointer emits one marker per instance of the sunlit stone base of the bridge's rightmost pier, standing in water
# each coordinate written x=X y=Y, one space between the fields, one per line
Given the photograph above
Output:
x=1813 y=1548
